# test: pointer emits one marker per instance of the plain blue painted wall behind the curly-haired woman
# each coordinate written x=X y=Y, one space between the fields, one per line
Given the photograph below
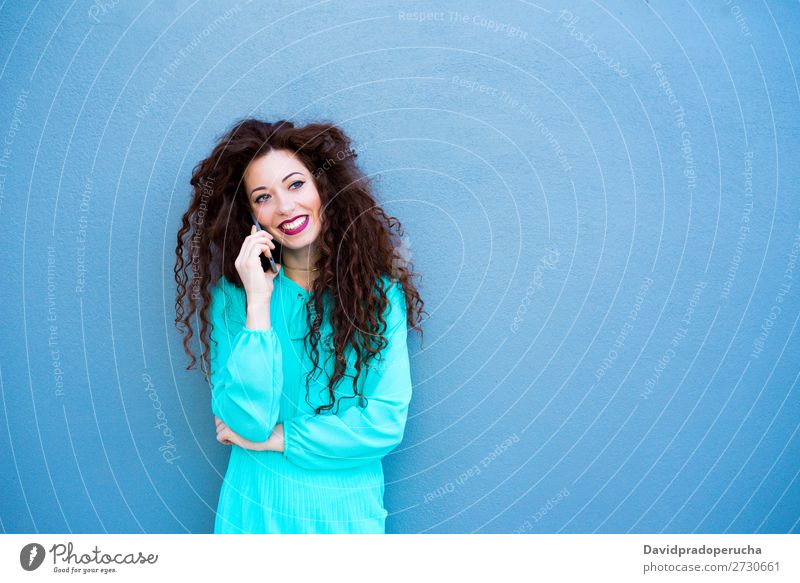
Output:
x=602 y=200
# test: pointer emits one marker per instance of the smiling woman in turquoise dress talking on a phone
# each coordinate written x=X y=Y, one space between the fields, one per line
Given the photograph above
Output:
x=309 y=366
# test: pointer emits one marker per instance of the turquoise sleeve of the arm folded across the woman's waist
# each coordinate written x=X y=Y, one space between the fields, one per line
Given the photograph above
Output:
x=359 y=434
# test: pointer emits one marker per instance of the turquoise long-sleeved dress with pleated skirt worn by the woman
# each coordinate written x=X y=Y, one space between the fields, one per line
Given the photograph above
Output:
x=329 y=478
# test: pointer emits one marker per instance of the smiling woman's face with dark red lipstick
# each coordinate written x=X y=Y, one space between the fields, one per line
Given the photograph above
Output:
x=284 y=198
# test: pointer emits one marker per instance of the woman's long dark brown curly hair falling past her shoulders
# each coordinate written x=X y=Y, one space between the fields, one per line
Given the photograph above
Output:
x=354 y=226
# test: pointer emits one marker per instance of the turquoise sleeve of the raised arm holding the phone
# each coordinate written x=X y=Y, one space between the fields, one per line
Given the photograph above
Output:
x=246 y=372
